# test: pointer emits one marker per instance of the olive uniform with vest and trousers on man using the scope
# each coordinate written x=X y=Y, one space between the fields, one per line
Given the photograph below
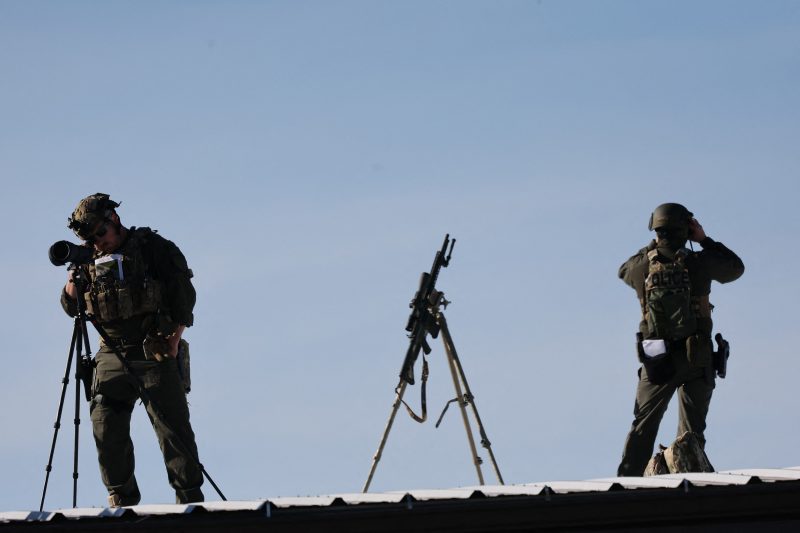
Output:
x=154 y=296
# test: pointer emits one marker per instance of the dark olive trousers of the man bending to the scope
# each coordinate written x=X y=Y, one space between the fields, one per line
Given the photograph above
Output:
x=115 y=394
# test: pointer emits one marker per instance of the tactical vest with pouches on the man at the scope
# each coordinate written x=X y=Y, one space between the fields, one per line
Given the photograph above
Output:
x=110 y=298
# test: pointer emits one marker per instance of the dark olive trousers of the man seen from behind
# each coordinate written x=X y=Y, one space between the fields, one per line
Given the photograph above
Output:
x=694 y=386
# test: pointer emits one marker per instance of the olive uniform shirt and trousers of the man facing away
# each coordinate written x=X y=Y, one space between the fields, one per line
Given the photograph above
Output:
x=657 y=383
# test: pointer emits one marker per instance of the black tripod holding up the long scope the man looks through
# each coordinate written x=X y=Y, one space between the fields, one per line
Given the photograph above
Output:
x=83 y=366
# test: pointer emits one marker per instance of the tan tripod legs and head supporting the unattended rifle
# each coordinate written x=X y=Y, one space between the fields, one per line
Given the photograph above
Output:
x=464 y=398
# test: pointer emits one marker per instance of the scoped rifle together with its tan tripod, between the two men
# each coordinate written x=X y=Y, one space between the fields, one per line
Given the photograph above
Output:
x=427 y=317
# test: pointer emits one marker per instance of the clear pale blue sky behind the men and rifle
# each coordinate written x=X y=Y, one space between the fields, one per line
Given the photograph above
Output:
x=308 y=158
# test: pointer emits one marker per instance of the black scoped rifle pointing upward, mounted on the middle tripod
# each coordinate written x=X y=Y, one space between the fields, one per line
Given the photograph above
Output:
x=421 y=322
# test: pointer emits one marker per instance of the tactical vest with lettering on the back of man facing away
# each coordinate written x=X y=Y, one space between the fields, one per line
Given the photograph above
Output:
x=668 y=307
